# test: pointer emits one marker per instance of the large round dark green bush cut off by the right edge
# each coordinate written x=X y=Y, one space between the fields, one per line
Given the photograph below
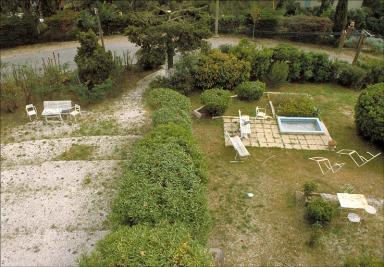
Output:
x=369 y=113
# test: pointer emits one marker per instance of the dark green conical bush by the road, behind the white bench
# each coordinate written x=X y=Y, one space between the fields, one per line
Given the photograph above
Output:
x=93 y=62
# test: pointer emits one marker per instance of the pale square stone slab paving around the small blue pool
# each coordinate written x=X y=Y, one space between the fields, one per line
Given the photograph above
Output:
x=265 y=133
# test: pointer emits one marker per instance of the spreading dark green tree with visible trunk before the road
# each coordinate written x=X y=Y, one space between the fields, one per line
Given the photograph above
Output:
x=165 y=31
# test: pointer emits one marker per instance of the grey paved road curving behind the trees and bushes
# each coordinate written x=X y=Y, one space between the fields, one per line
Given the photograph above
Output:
x=33 y=54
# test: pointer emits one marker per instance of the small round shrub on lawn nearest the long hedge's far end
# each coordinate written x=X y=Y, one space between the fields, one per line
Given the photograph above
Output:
x=216 y=101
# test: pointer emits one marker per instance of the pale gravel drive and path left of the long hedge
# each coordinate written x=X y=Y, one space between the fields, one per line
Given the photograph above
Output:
x=53 y=210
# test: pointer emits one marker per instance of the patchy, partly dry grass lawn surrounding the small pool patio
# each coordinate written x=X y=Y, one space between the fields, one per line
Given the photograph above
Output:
x=270 y=229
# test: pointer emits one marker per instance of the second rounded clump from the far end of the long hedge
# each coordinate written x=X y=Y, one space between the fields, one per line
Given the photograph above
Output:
x=168 y=115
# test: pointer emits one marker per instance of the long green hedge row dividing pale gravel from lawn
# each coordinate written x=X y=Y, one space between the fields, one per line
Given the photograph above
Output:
x=160 y=212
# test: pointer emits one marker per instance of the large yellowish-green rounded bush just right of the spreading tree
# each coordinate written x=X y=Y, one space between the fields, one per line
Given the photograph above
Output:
x=217 y=69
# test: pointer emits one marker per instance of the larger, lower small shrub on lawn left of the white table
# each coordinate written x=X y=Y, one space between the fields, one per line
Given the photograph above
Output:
x=320 y=211
